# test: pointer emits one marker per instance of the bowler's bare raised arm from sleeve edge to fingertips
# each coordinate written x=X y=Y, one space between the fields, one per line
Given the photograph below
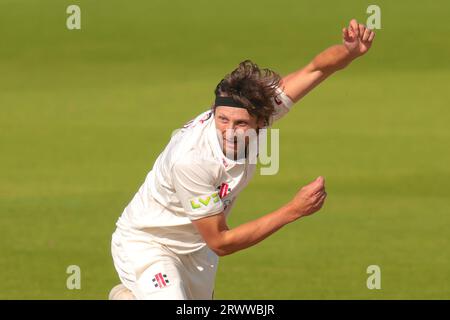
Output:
x=357 y=40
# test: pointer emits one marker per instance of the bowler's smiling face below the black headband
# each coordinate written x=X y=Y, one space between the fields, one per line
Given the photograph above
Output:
x=232 y=123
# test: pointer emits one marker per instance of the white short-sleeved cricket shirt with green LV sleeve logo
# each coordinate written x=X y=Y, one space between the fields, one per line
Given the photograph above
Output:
x=191 y=179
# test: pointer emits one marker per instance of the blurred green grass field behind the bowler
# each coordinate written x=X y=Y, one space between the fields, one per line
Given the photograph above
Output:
x=84 y=114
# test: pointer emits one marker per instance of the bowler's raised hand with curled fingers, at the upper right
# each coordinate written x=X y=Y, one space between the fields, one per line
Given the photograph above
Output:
x=357 y=38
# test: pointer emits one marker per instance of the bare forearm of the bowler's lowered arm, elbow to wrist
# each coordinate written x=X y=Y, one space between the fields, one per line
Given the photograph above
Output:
x=251 y=233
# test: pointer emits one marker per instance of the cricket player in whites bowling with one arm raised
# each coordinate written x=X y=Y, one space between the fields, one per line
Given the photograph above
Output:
x=169 y=237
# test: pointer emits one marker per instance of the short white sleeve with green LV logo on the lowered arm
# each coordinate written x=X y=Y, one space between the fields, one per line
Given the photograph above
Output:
x=195 y=188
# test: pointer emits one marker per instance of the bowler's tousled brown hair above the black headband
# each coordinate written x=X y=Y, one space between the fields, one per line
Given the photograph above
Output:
x=252 y=87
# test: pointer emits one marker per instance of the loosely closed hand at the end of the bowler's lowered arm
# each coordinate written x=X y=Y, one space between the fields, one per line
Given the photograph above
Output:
x=309 y=199
